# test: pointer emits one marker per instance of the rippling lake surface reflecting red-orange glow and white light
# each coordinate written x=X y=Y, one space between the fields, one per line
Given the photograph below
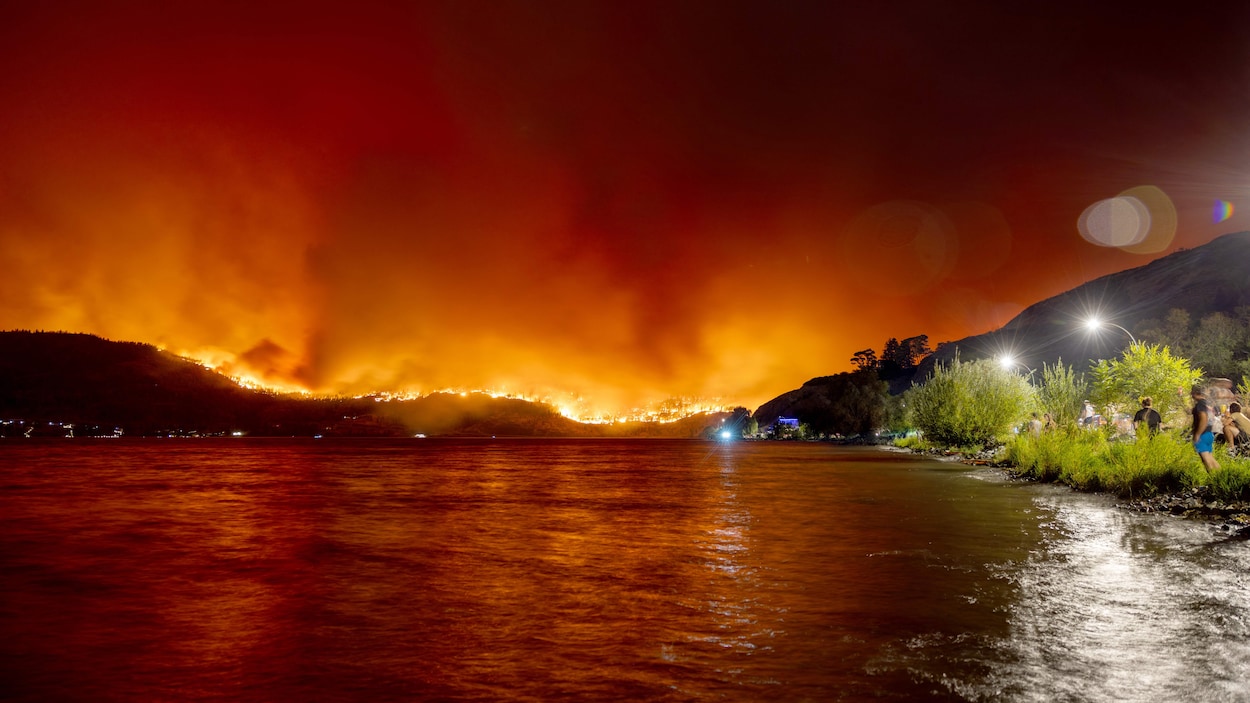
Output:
x=593 y=571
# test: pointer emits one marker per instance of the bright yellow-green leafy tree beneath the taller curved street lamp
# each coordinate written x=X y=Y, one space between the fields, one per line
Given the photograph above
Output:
x=1144 y=371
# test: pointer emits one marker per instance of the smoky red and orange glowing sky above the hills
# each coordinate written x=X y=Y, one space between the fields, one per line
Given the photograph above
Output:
x=624 y=201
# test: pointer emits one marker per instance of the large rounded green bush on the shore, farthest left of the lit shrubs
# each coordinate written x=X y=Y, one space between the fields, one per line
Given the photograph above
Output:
x=971 y=405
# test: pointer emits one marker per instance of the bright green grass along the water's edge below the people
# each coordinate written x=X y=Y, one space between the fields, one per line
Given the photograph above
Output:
x=1141 y=468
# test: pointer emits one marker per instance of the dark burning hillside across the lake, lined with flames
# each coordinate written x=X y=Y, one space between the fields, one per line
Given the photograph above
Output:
x=101 y=387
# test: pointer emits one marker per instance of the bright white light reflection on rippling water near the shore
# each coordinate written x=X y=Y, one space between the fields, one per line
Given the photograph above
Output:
x=1129 y=597
